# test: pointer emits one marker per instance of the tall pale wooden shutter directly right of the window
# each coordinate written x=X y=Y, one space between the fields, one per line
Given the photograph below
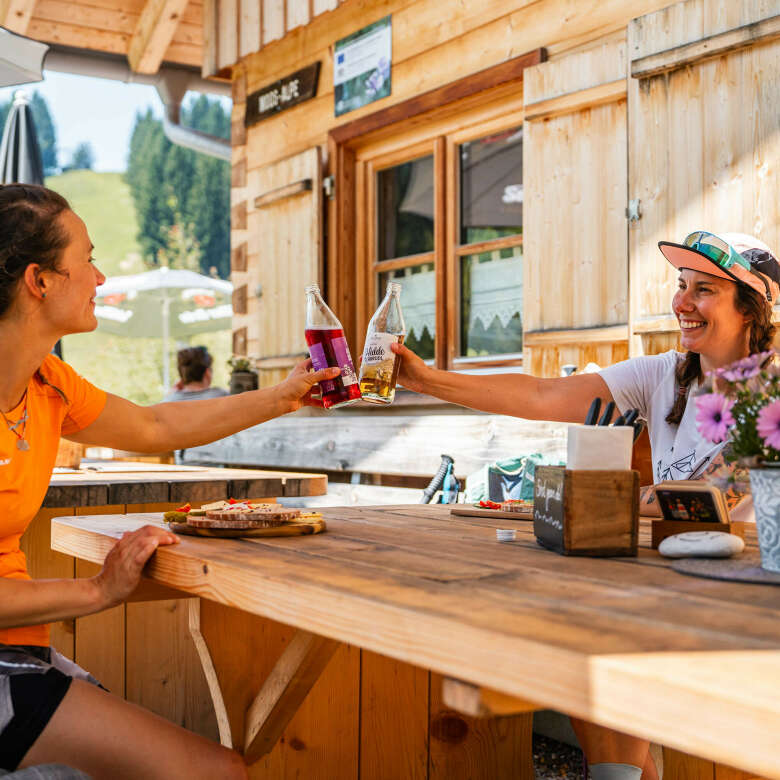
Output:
x=574 y=228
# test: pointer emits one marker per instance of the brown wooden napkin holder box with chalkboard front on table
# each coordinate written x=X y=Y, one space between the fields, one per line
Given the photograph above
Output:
x=594 y=513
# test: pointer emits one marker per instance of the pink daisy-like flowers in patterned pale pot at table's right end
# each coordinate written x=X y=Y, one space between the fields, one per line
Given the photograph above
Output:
x=743 y=405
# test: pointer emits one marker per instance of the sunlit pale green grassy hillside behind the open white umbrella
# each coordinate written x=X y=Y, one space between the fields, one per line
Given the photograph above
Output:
x=125 y=366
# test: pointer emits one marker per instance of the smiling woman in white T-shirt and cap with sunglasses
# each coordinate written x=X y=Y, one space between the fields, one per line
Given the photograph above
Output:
x=726 y=288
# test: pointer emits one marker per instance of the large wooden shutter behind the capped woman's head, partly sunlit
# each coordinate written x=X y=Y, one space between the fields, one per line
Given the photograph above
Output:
x=704 y=140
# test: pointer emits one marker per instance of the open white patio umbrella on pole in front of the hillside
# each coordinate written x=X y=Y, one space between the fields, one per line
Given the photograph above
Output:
x=170 y=303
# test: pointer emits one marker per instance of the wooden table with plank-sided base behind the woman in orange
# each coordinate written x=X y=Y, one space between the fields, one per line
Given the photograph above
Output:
x=143 y=651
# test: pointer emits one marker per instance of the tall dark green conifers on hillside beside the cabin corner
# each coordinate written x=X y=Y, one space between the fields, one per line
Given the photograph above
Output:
x=178 y=188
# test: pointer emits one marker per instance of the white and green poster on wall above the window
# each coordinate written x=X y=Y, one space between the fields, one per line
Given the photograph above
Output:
x=361 y=69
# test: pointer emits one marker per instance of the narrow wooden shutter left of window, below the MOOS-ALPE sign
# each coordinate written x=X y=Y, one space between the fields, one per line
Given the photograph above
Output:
x=285 y=254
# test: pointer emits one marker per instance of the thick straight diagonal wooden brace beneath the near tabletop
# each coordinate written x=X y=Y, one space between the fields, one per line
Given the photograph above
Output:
x=283 y=692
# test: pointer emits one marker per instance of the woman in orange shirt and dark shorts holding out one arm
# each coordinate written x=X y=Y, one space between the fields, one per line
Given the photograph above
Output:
x=50 y=710
